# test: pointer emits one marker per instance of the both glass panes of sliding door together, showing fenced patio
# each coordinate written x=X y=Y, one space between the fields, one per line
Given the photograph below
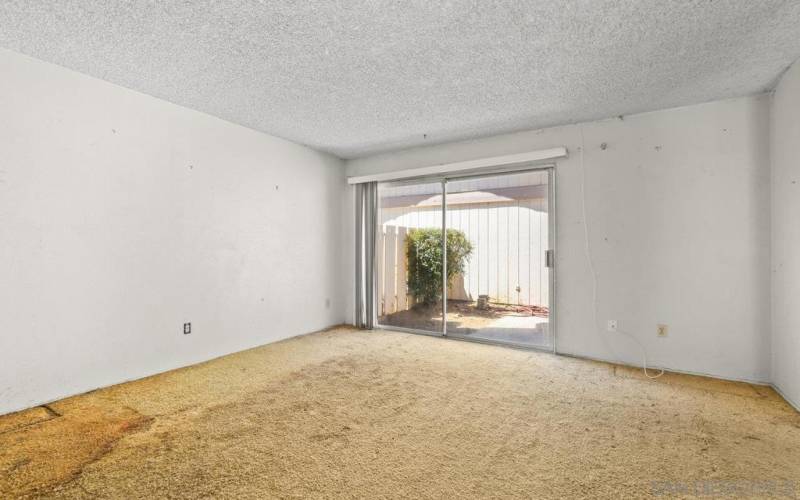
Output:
x=498 y=270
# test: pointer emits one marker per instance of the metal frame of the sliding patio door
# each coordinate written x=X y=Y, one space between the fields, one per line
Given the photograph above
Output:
x=552 y=242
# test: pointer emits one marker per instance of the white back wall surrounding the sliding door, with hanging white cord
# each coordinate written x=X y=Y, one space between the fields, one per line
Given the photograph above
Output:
x=678 y=214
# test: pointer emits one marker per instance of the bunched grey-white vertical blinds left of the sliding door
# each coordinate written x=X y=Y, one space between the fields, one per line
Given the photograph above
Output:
x=366 y=221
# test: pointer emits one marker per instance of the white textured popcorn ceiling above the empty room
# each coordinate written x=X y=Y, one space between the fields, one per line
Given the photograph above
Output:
x=356 y=77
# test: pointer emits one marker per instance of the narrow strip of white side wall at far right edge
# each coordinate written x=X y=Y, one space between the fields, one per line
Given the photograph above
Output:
x=785 y=135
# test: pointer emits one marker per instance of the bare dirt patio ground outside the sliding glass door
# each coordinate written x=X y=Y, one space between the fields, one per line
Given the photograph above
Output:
x=462 y=316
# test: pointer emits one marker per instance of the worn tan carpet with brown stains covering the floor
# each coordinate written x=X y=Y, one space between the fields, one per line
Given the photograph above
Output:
x=352 y=414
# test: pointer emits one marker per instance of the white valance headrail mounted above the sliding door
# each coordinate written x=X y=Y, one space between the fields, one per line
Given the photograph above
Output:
x=464 y=166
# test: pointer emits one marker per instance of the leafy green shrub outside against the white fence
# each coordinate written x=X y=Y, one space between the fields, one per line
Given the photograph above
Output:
x=424 y=252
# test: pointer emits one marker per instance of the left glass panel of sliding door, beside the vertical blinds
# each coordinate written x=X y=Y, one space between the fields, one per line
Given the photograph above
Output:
x=409 y=256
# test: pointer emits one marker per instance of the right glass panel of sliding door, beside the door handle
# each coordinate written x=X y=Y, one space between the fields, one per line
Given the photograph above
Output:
x=500 y=292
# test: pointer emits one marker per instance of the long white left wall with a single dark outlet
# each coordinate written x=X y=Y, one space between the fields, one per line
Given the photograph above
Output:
x=123 y=216
